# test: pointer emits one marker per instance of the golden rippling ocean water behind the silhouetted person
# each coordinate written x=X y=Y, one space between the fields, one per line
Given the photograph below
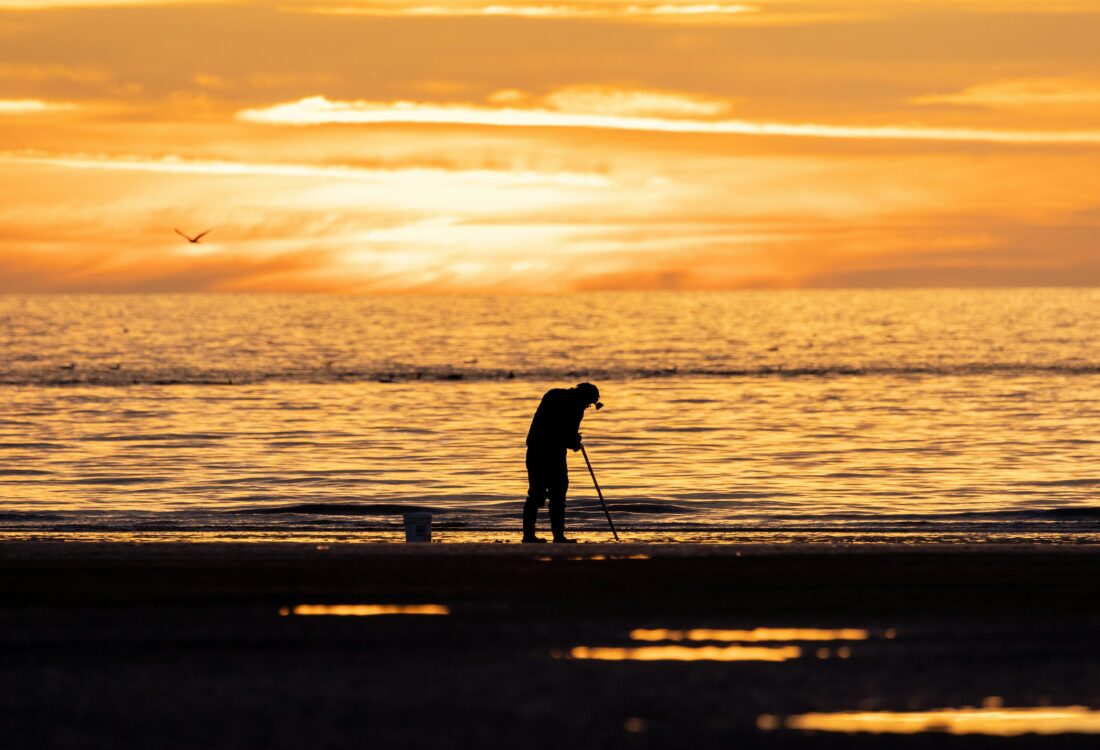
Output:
x=848 y=416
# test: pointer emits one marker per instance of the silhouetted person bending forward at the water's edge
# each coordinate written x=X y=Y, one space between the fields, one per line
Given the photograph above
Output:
x=555 y=428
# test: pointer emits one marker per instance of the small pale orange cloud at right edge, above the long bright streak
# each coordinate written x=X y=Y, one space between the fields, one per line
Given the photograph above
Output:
x=1024 y=93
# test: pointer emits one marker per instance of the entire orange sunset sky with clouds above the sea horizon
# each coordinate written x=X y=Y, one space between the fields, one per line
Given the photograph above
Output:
x=522 y=146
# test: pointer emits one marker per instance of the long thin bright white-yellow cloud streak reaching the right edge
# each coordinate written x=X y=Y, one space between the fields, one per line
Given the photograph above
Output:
x=320 y=111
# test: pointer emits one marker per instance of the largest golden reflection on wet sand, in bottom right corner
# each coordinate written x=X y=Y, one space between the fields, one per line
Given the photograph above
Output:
x=999 y=722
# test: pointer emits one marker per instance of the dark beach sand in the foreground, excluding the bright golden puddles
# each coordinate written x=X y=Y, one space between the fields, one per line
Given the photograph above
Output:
x=183 y=646
